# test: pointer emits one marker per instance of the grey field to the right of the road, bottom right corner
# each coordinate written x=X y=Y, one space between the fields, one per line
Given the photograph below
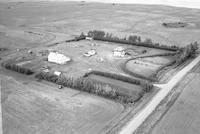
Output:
x=183 y=116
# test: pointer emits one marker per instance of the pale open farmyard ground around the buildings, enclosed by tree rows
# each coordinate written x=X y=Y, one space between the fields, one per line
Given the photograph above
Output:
x=103 y=60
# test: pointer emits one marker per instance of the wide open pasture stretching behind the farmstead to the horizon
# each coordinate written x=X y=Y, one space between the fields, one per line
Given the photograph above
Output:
x=34 y=22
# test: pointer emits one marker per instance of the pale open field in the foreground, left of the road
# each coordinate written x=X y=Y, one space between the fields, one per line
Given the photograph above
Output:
x=44 y=109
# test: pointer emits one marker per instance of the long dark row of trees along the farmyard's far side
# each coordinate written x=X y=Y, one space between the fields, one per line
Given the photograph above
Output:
x=131 y=40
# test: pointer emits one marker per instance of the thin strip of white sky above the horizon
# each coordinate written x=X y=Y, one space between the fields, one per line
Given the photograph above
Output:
x=178 y=3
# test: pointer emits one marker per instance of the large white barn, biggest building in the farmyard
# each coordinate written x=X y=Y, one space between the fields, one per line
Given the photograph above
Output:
x=58 y=58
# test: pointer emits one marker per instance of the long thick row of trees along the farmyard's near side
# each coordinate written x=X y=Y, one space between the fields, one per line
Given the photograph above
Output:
x=87 y=85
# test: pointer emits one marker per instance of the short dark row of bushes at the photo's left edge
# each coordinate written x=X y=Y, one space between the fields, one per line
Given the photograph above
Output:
x=17 y=68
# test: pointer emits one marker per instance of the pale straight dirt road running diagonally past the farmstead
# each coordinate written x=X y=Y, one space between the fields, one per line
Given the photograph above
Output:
x=139 y=118
